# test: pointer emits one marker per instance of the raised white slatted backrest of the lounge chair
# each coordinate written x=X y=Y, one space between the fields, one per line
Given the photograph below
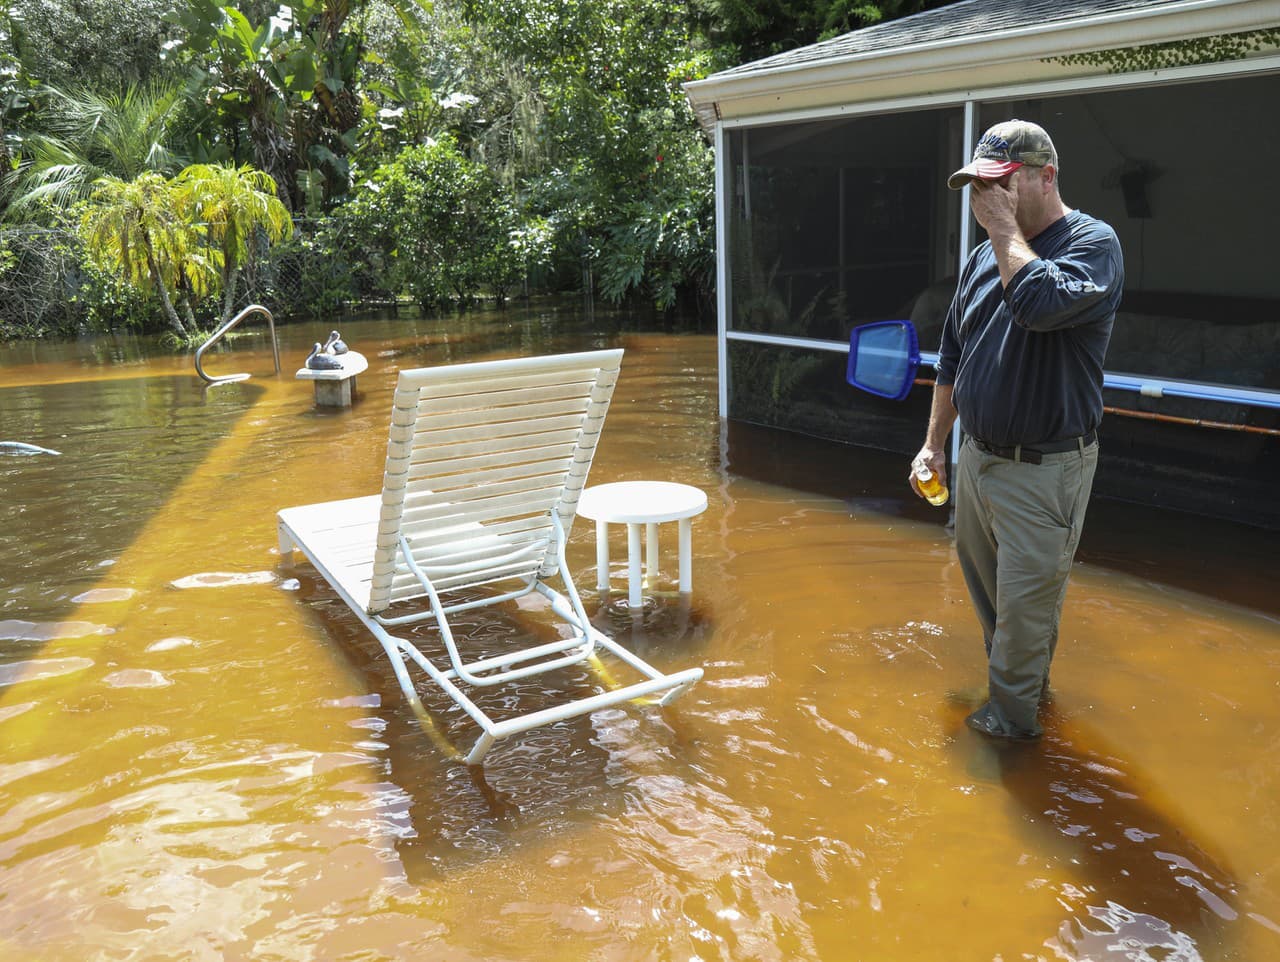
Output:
x=478 y=456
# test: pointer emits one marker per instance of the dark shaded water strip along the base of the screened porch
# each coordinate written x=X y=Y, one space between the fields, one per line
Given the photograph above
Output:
x=1220 y=560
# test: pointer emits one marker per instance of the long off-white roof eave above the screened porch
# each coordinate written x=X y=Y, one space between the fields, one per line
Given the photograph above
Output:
x=1158 y=25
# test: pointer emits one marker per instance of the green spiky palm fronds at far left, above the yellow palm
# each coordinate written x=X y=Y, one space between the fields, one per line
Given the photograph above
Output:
x=90 y=136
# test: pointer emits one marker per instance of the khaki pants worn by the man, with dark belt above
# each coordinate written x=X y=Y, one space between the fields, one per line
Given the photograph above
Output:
x=1017 y=530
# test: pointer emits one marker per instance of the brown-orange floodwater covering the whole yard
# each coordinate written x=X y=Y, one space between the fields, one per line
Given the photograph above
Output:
x=203 y=757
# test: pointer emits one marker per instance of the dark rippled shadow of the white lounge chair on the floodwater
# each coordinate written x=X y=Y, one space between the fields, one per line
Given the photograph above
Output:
x=554 y=781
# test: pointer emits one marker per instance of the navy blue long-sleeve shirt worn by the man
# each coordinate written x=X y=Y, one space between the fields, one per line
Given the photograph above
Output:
x=1026 y=363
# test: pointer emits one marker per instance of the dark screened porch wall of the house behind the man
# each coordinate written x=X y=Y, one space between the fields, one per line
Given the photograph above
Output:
x=1203 y=295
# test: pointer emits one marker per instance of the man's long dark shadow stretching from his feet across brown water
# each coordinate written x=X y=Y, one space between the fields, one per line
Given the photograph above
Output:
x=1146 y=886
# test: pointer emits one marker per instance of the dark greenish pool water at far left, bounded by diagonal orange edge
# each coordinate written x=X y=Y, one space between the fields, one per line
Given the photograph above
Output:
x=127 y=445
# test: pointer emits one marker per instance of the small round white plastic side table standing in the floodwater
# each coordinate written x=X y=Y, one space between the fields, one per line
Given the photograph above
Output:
x=636 y=503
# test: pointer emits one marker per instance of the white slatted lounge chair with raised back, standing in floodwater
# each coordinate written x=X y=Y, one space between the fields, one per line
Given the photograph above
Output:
x=484 y=468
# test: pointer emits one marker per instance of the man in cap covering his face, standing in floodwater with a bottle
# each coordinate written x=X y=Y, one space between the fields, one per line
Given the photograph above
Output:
x=1022 y=365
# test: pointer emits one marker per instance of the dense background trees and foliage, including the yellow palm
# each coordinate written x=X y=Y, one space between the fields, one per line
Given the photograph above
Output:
x=456 y=148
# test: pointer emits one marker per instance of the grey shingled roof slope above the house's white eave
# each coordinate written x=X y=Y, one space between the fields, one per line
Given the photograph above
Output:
x=970 y=19
